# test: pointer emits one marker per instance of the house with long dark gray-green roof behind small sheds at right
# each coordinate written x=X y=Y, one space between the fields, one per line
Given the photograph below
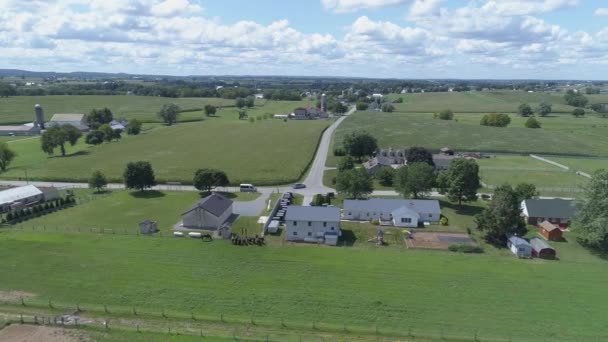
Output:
x=556 y=211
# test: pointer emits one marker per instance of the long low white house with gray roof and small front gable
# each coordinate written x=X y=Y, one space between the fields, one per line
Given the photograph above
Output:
x=398 y=212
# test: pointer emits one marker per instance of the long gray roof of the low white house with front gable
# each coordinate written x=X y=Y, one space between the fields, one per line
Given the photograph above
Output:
x=386 y=204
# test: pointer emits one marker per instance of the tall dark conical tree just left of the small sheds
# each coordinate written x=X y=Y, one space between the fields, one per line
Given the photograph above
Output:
x=502 y=217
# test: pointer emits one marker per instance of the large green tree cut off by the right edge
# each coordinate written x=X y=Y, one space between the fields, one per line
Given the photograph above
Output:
x=591 y=221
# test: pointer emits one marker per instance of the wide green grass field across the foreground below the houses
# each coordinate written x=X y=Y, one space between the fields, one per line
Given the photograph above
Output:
x=496 y=295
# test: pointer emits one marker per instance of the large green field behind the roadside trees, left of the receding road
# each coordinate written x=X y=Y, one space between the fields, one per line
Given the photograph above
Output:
x=264 y=152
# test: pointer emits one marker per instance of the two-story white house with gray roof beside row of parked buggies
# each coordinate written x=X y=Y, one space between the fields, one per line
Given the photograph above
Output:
x=313 y=224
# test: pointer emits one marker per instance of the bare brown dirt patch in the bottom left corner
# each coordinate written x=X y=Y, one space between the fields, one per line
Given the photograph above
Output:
x=37 y=333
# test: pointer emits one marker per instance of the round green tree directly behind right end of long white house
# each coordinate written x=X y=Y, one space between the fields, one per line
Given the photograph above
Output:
x=415 y=179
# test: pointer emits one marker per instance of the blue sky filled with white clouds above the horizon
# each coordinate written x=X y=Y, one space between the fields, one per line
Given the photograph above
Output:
x=550 y=39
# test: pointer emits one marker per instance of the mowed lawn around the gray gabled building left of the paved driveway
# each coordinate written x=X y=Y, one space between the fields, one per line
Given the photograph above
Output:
x=124 y=210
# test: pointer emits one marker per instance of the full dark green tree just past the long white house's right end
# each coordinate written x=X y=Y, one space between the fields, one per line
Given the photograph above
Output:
x=460 y=181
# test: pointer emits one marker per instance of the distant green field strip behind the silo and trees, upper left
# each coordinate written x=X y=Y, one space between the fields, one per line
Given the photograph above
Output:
x=20 y=109
